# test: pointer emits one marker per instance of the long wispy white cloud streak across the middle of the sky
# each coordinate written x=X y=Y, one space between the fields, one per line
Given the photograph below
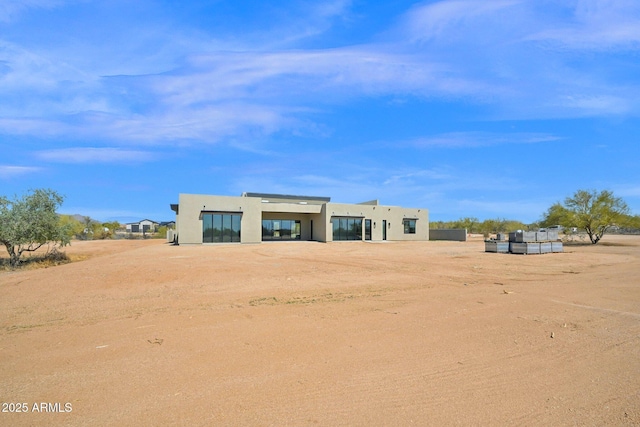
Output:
x=289 y=75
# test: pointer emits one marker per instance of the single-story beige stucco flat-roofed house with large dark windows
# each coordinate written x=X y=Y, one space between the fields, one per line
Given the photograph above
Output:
x=257 y=217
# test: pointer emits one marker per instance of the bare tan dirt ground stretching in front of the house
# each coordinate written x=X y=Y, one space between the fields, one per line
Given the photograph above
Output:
x=142 y=333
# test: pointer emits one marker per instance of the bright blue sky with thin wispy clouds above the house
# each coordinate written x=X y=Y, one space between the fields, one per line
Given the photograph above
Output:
x=492 y=108
